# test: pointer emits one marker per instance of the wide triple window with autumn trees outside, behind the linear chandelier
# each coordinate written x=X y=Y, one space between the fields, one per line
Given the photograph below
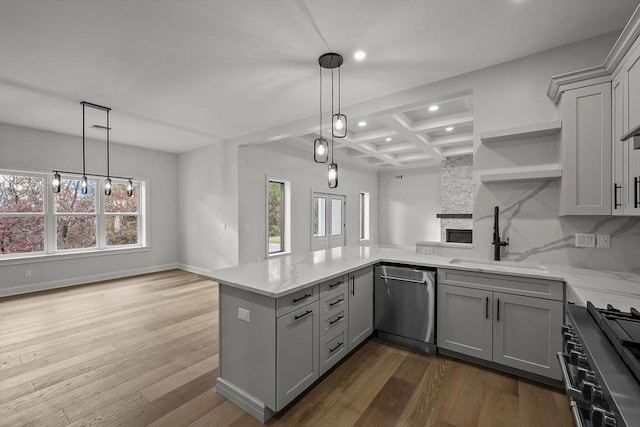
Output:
x=34 y=220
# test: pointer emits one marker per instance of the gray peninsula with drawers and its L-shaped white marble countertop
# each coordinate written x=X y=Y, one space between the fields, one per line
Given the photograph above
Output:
x=272 y=313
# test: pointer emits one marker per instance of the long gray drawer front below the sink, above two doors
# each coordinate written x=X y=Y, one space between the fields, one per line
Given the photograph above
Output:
x=540 y=288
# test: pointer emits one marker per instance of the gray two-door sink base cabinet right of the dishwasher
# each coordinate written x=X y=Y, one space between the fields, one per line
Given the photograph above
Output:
x=510 y=321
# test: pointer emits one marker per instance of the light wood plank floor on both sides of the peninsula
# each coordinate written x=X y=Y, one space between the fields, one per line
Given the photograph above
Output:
x=144 y=351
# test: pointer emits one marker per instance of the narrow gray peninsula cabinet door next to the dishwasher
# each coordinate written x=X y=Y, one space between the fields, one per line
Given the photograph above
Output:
x=360 y=306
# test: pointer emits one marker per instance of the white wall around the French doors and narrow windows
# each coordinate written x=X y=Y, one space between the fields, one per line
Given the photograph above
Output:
x=278 y=161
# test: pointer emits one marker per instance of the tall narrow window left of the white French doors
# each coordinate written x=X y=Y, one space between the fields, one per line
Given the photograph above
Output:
x=277 y=216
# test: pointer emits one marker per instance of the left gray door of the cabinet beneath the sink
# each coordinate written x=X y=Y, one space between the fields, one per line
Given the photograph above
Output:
x=464 y=324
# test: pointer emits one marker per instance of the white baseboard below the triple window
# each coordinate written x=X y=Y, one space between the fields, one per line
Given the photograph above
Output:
x=74 y=281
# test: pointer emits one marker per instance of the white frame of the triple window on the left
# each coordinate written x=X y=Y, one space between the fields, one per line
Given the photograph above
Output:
x=50 y=223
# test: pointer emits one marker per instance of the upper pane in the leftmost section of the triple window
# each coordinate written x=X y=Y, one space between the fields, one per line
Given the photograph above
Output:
x=20 y=193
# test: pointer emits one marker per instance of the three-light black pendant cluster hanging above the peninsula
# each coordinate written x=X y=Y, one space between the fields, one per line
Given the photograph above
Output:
x=321 y=146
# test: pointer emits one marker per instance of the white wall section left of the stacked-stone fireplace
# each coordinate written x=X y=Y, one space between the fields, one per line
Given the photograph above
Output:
x=407 y=207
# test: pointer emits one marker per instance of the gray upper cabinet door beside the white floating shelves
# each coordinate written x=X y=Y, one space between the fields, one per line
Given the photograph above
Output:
x=586 y=149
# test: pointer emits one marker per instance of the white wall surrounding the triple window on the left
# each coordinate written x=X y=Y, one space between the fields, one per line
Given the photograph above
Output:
x=35 y=150
